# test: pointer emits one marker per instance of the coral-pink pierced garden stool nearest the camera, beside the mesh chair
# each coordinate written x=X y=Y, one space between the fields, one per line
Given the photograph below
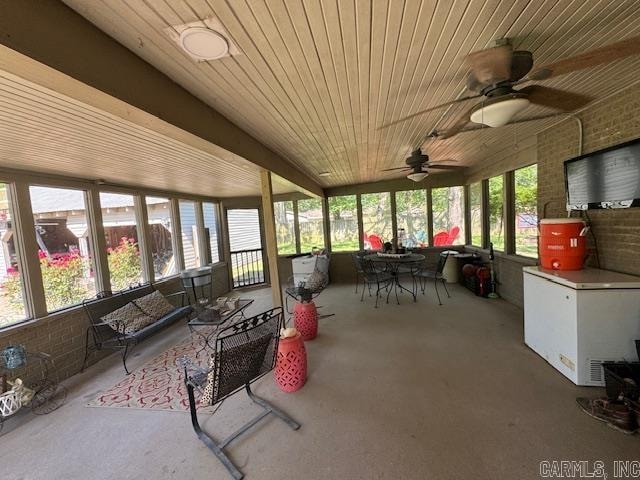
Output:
x=291 y=364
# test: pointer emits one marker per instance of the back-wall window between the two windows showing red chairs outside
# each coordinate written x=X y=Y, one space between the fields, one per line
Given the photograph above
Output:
x=411 y=214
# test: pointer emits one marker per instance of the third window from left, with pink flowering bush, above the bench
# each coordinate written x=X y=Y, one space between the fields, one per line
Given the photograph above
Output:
x=121 y=237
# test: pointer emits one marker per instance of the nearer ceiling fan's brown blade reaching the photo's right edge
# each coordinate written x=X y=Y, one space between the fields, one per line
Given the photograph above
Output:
x=609 y=53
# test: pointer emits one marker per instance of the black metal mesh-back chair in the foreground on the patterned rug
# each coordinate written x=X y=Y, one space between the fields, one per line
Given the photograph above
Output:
x=244 y=352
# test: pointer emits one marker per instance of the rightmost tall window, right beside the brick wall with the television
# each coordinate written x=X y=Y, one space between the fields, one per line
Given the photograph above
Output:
x=526 y=209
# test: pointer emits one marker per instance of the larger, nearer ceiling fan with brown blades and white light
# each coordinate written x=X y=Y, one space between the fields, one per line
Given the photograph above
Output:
x=495 y=71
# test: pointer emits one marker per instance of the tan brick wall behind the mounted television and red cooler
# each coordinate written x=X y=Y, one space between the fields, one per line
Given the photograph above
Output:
x=610 y=122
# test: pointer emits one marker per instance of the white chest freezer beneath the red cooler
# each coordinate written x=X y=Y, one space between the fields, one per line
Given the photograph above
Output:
x=576 y=320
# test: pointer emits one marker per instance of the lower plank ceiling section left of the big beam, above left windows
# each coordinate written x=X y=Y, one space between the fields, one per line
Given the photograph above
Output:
x=46 y=132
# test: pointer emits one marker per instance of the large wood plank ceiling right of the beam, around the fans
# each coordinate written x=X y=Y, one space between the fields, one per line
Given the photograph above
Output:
x=315 y=79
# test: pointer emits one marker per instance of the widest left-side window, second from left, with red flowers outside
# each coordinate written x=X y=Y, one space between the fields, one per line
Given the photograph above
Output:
x=62 y=232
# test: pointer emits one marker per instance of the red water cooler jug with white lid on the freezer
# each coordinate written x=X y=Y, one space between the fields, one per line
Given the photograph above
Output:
x=563 y=244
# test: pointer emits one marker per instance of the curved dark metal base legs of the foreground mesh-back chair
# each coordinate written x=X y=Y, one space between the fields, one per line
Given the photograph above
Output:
x=218 y=448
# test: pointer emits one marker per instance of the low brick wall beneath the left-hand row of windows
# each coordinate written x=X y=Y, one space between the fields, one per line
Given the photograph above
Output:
x=62 y=335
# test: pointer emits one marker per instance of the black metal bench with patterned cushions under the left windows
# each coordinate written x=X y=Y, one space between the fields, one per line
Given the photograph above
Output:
x=106 y=337
